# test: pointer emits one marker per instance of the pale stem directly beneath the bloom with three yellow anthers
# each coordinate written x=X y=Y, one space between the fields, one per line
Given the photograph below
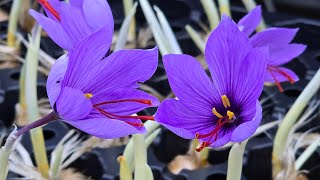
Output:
x=235 y=161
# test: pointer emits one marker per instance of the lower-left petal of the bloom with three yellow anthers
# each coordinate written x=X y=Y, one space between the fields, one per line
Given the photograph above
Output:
x=183 y=121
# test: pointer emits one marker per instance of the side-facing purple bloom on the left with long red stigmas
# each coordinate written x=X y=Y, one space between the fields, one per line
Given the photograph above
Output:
x=98 y=95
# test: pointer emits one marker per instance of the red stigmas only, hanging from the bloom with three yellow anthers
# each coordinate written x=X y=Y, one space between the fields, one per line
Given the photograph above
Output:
x=214 y=133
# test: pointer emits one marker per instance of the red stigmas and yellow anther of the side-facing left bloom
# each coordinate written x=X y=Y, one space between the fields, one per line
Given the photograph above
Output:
x=115 y=116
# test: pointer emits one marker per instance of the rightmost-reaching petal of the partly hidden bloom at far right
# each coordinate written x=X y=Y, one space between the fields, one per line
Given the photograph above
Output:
x=282 y=55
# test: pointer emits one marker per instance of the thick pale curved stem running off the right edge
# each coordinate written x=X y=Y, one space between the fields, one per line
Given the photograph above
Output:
x=289 y=120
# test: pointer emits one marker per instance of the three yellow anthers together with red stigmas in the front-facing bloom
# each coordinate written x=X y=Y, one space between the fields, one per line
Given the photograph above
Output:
x=213 y=135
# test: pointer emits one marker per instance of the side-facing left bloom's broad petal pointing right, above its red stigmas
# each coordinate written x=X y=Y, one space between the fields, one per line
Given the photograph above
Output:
x=122 y=69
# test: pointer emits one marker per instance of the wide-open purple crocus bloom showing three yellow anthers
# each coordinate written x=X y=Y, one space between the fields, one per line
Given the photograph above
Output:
x=225 y=108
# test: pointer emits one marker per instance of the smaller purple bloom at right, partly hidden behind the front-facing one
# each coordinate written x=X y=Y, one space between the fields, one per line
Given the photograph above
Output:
x=281 y=51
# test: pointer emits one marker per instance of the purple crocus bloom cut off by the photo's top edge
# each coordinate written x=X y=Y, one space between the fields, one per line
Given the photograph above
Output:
x=68 y=23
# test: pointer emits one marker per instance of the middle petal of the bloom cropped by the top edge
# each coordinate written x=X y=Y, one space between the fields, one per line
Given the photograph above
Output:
x=74 y=22
